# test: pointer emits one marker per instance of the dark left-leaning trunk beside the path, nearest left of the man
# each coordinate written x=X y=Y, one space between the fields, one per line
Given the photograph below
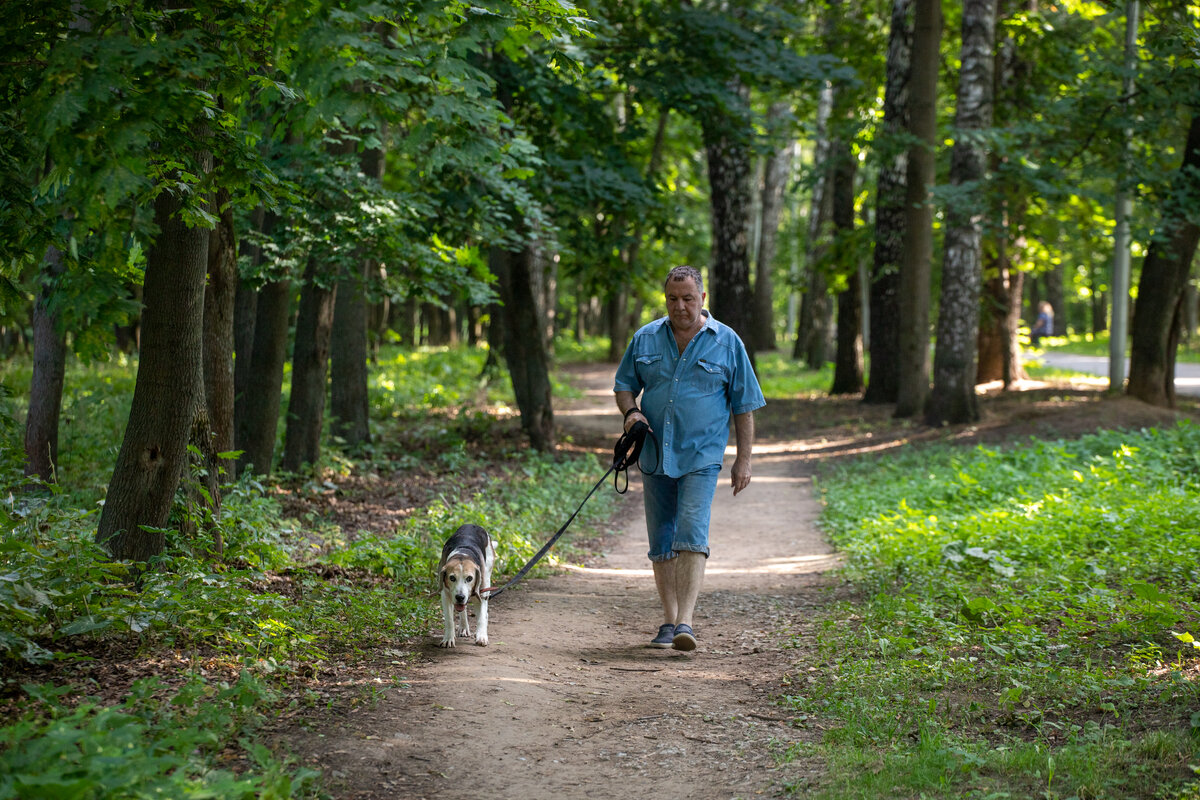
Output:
x=524 y=347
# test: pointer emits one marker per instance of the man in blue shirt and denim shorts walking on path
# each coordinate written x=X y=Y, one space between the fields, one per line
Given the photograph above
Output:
x=693 y=374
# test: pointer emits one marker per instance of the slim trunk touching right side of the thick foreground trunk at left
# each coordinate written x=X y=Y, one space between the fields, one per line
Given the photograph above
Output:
x=219 y=326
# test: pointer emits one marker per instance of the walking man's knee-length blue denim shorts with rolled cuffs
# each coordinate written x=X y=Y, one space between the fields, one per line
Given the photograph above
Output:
x=679 y=510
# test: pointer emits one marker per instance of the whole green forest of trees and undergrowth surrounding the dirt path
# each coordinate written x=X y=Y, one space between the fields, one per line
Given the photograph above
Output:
x=253 y=254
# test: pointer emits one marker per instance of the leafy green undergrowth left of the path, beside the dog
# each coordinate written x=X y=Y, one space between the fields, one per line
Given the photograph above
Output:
x=287 y=597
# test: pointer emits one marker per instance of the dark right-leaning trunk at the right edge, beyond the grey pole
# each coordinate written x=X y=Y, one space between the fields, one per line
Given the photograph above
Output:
x=1165 y=274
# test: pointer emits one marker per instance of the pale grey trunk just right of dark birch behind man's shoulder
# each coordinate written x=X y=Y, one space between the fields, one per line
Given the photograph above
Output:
x=775 y=181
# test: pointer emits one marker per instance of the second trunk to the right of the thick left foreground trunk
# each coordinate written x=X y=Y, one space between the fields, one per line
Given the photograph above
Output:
x=257 y=428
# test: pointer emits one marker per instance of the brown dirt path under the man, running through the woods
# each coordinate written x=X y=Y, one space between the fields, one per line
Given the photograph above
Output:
x=571 y=702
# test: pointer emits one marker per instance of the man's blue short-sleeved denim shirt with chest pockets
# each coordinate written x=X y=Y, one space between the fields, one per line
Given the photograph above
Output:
x=688 y=398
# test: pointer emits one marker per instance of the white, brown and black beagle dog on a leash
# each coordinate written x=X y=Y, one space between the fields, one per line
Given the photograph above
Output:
x=466 y=569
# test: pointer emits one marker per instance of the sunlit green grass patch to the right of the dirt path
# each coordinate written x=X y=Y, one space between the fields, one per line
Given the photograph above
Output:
x=1025 y=627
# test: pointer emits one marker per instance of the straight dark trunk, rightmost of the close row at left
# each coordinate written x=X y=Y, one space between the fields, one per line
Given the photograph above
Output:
x=349 y=404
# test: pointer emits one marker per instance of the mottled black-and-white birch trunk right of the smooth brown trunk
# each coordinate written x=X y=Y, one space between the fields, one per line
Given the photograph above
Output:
x=953 y=400
